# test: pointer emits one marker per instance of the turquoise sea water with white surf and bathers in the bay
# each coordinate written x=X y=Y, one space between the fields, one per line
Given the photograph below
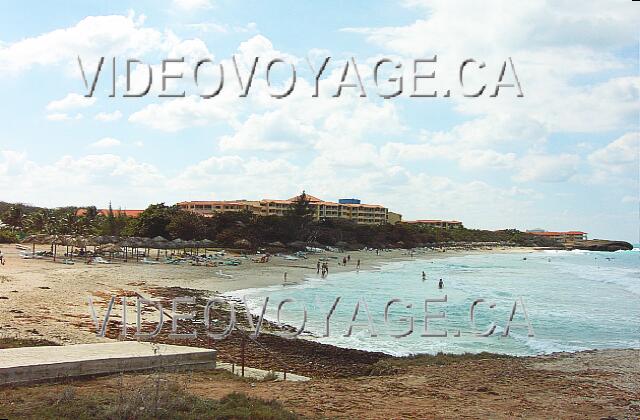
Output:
x=575 y=300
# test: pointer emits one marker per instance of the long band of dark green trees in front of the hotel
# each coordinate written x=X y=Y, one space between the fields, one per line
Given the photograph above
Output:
x=295 y=229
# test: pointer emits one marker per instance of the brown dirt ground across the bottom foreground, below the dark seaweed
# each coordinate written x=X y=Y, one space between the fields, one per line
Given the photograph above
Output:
x=598 y=384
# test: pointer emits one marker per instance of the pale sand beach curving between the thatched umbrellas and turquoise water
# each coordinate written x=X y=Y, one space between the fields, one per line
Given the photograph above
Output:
x=43 y=299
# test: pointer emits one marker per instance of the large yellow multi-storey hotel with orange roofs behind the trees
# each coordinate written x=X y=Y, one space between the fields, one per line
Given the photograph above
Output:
x=349 y=208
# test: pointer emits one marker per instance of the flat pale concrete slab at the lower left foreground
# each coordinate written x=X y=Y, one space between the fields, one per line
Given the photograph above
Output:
x=34 y=364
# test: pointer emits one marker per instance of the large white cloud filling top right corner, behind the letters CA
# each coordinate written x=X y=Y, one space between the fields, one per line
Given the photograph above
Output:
x=553 y=45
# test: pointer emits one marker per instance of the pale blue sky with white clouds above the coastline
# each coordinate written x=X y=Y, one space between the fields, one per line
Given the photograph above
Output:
x=561 y=156
